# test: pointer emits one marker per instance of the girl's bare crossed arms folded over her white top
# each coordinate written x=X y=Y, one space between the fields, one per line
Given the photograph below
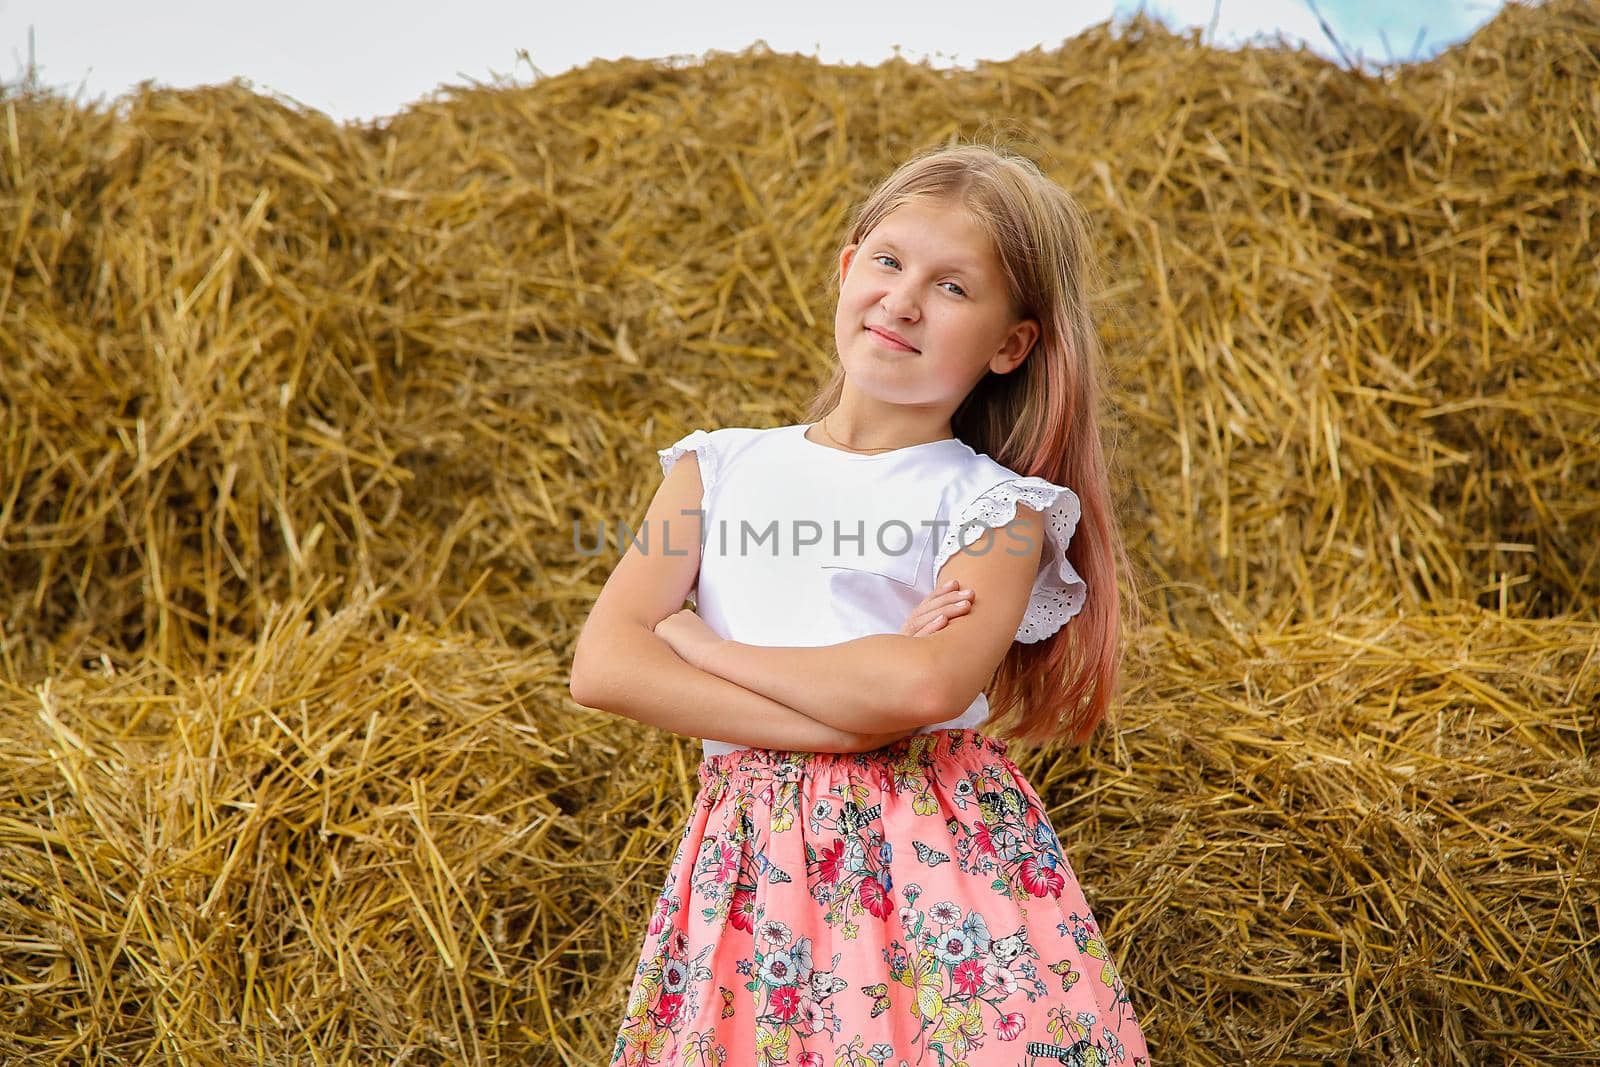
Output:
x=644 y=658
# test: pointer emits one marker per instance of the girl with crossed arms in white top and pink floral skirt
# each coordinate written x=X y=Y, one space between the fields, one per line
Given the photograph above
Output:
x=866 y=879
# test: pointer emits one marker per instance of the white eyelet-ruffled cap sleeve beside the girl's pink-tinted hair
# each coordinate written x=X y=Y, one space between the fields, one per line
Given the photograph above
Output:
x=1058 y=591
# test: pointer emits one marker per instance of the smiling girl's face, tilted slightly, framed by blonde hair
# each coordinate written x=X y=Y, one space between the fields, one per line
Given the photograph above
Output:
x=927 y=274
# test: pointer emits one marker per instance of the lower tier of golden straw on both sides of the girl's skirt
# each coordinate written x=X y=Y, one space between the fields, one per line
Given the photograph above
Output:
x=1369 y=841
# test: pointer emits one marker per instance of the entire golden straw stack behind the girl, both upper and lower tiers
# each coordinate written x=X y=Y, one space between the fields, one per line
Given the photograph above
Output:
x=297 y=422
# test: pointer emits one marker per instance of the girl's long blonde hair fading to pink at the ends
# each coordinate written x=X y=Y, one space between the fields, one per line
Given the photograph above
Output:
x=1041 y=420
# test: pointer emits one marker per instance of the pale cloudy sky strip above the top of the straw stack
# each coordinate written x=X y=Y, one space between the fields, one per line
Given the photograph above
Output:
x=364 y=60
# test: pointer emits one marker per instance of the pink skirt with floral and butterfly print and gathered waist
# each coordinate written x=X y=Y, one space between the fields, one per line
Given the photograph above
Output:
x=903 y=906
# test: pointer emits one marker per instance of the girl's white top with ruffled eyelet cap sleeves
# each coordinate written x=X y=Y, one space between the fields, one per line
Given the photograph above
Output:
x=806 y=545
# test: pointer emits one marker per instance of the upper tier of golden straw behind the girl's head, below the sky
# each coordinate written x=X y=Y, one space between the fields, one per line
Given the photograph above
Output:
x=1351 y=321
